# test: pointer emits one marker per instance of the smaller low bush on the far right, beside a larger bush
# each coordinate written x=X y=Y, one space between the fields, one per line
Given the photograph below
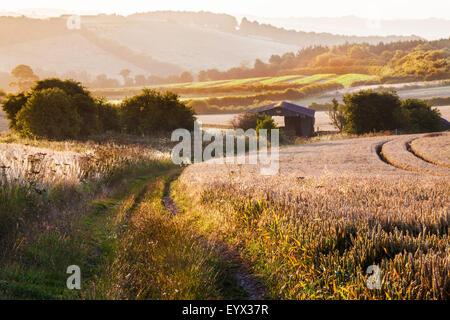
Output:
x=417 y=116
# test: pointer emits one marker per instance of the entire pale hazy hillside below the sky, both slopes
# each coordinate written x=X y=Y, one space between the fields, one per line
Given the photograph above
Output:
x=155 y=43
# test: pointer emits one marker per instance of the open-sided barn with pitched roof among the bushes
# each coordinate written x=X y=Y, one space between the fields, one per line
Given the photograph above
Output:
x=298 y=120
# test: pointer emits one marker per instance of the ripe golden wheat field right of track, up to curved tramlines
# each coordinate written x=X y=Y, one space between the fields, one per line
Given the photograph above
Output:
x=334 y=209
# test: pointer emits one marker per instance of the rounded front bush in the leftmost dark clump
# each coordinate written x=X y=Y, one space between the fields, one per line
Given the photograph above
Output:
x=49 y=113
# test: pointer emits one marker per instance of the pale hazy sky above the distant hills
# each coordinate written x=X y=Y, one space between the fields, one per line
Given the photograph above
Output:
x=382 y=9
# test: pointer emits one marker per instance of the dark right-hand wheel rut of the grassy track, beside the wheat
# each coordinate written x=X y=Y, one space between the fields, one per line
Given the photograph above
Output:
x=242 y=272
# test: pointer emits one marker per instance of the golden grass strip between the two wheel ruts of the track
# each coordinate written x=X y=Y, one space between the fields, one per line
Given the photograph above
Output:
x=159 y=256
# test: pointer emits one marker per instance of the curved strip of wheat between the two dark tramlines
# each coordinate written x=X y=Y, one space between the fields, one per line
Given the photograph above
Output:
x=398 y=153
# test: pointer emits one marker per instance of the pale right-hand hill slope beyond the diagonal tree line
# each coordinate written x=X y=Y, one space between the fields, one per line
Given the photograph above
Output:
x=201 y=40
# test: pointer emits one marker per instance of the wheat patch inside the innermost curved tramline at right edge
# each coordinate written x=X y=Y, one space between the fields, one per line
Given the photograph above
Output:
x=434 y=148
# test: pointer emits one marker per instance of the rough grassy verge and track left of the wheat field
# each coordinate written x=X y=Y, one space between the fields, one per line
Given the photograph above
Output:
x=126 y=243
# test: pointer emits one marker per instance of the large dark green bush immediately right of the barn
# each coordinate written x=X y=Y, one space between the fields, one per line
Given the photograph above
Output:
x=370 y=111
